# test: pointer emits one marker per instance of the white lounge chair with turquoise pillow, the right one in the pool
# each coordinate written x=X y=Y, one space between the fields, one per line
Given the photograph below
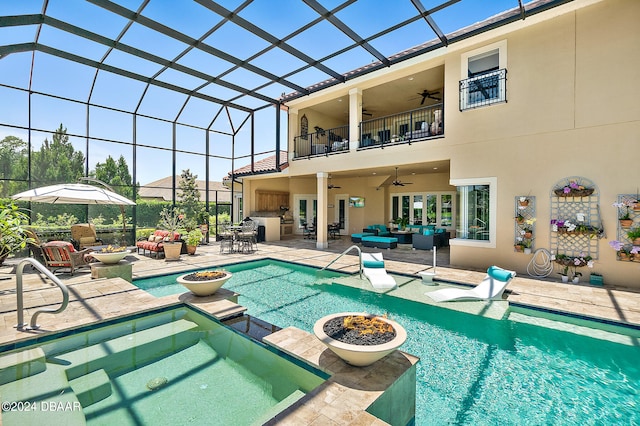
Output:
x=491 y=288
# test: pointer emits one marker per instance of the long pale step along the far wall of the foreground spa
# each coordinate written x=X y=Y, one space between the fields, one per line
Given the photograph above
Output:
x=132 y=350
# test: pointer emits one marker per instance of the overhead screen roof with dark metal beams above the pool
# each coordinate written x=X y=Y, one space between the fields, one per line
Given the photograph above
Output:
x=246 y=55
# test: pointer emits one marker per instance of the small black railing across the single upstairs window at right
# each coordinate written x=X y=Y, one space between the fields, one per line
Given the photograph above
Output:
x=483 y=89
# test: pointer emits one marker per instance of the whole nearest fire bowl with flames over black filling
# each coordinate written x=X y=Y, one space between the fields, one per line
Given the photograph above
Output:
x=360 y=339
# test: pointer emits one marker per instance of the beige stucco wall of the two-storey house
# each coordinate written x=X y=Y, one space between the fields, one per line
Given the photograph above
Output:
x=572 y=110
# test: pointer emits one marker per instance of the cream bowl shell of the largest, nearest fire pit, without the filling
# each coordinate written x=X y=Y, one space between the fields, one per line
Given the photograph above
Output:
x=359 y=355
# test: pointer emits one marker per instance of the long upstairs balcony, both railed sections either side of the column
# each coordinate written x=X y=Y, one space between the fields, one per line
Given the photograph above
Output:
x=404 y=127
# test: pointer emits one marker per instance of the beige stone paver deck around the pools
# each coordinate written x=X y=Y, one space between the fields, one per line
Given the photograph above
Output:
x=93 y=300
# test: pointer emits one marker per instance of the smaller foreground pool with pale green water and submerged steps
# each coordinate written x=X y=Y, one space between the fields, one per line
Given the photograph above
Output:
x=167 y=367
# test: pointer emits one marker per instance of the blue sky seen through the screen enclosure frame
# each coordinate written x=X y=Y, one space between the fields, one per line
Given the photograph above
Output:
x=69 y=79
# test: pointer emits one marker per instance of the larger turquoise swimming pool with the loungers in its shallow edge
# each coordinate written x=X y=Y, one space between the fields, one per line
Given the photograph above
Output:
x=473 y=370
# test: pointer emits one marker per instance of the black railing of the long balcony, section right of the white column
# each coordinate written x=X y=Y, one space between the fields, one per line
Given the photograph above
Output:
x=405 y=127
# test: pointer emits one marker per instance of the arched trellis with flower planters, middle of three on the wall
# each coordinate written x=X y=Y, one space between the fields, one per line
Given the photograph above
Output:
x=576 y=224
